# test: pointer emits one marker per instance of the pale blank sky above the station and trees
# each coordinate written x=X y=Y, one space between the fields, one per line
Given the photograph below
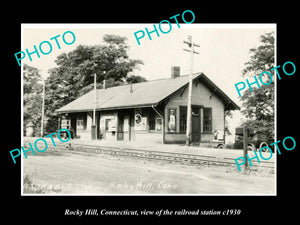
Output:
x=223 y=51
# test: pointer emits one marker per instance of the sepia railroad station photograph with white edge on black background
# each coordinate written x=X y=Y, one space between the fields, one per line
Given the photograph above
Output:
x=106 y=111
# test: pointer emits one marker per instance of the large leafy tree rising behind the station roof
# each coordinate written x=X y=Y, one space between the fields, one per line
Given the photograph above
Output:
x=74 y=74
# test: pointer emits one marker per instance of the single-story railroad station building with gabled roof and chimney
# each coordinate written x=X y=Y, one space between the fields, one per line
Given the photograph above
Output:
x=152 y=111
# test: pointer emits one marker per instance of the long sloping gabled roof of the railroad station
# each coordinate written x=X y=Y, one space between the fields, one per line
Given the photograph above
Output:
x=143 y=94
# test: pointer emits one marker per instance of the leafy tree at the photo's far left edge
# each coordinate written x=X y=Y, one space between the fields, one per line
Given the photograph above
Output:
x=32 y=98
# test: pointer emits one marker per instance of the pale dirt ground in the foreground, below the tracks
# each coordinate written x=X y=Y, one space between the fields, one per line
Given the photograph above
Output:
x=65 y=172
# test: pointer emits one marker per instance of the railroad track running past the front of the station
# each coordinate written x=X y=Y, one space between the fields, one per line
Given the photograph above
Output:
x=152 y=155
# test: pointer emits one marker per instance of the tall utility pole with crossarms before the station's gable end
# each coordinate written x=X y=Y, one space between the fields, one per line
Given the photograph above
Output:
x=189 y=104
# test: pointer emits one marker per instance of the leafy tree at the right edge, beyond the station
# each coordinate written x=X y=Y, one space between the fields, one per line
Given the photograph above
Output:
x=258 y=105
